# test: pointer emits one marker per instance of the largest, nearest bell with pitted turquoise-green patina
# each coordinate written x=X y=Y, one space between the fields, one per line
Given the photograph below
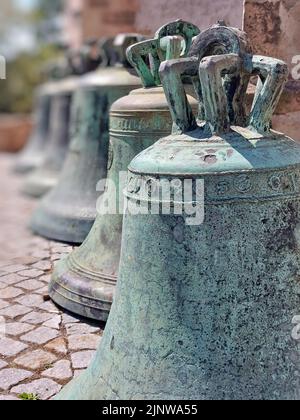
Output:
x=204 y=305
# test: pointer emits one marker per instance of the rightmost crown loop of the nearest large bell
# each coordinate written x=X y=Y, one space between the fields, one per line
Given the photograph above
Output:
x=273 y=75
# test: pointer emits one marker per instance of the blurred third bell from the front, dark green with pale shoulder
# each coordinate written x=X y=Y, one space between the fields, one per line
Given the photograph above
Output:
x=68 y=212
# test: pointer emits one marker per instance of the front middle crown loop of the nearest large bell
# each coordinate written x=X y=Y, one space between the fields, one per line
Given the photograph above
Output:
x=215 y=99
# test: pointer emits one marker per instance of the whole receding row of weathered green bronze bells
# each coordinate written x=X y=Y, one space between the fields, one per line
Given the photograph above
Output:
x=201 y=310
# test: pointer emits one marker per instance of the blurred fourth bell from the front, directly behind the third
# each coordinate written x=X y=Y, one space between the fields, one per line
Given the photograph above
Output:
x=45 y=177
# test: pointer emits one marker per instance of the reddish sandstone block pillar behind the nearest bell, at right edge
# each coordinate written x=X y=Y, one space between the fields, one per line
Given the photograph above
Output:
x=274 y=29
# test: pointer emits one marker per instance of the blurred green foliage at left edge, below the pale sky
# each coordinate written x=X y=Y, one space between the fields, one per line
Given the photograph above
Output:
x=23 y=76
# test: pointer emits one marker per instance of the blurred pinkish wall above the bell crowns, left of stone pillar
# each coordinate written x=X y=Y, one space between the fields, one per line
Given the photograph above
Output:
x=109 y=17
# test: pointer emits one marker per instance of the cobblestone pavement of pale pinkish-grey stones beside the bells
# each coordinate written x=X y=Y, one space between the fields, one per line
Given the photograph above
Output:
x=41 y=347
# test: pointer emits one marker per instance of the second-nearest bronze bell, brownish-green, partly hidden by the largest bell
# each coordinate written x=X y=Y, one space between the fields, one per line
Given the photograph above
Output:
x=84 y=283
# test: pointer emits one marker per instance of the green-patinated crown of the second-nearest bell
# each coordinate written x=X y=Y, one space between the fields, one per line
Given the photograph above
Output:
x=171 y=41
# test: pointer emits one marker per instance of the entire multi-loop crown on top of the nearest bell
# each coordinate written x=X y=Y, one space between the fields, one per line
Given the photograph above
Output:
x=221 y=83
